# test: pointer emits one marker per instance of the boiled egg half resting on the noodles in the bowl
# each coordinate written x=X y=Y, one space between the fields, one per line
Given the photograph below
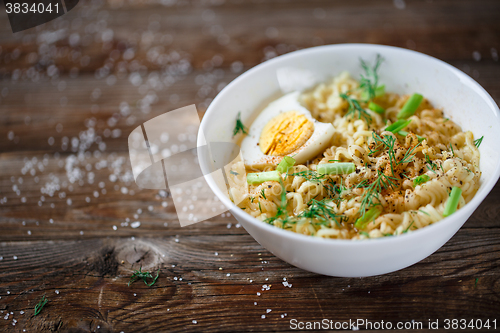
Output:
x=285 y=128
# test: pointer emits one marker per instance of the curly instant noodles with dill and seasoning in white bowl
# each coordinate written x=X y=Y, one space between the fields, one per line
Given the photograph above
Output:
x=401 y=181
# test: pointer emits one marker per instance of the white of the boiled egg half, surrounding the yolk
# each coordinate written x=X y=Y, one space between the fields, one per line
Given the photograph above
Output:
x=319 y=140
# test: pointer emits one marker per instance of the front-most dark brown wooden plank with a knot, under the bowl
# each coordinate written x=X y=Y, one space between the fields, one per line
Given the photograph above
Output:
x=86 y=282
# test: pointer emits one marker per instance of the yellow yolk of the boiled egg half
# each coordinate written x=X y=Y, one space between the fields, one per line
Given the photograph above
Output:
x=285 y=133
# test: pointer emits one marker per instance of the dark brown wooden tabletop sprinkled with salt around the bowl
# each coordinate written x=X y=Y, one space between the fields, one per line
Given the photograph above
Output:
x=80 y=71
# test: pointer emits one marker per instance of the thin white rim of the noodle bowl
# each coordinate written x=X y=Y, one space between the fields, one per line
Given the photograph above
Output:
x=419 y=233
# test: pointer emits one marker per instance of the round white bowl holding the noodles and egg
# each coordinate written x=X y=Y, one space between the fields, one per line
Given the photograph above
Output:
x=403 y=71
